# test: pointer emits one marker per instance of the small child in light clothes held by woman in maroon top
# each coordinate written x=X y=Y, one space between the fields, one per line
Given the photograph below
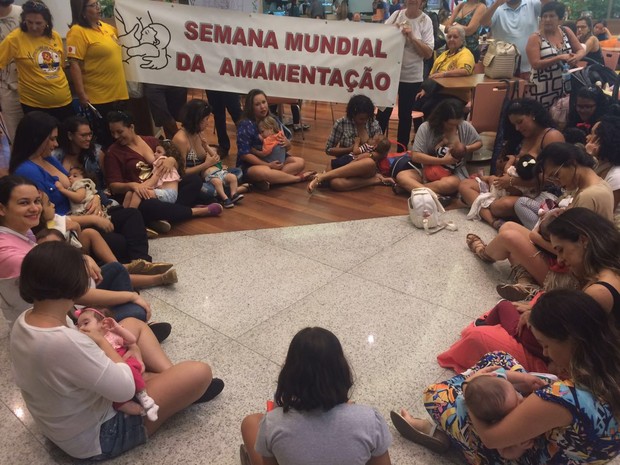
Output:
x=164 y=187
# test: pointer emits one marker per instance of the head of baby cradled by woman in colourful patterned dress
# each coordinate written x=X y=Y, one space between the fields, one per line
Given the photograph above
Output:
x=491 y=398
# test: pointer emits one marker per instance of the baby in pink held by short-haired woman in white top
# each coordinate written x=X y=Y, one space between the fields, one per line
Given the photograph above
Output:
x=91 y=320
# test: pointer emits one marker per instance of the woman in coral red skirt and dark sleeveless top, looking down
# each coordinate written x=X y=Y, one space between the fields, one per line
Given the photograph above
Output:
x=589 y=247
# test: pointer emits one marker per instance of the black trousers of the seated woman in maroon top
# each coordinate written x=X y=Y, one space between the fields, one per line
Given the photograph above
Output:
x=189 y=192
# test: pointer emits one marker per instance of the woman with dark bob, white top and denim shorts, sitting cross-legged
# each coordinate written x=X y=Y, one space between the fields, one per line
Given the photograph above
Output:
x=69 y=379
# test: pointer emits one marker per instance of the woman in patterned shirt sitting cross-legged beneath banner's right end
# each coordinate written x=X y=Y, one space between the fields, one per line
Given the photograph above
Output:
x=354 y=142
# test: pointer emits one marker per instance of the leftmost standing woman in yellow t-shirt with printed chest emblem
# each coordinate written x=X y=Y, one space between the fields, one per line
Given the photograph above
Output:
x=38 y=53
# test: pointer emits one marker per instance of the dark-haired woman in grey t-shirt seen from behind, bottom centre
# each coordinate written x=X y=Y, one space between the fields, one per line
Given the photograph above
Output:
x=314 y=421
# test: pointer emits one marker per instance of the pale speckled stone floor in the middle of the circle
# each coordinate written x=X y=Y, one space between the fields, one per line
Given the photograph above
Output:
x=394 y=296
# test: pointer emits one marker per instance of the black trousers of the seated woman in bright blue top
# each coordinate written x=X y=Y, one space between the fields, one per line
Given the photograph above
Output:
x=128 y=241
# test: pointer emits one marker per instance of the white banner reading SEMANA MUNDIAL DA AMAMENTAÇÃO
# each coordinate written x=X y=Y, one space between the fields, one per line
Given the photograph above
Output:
x=205 y=48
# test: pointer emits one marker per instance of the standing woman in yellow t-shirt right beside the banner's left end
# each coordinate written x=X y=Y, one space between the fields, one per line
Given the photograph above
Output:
x=96 y=64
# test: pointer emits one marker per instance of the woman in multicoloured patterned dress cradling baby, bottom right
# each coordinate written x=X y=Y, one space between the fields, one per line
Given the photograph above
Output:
x=572 y=420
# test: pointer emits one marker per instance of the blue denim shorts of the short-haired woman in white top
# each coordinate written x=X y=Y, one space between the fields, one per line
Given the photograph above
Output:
x=119 y=434
